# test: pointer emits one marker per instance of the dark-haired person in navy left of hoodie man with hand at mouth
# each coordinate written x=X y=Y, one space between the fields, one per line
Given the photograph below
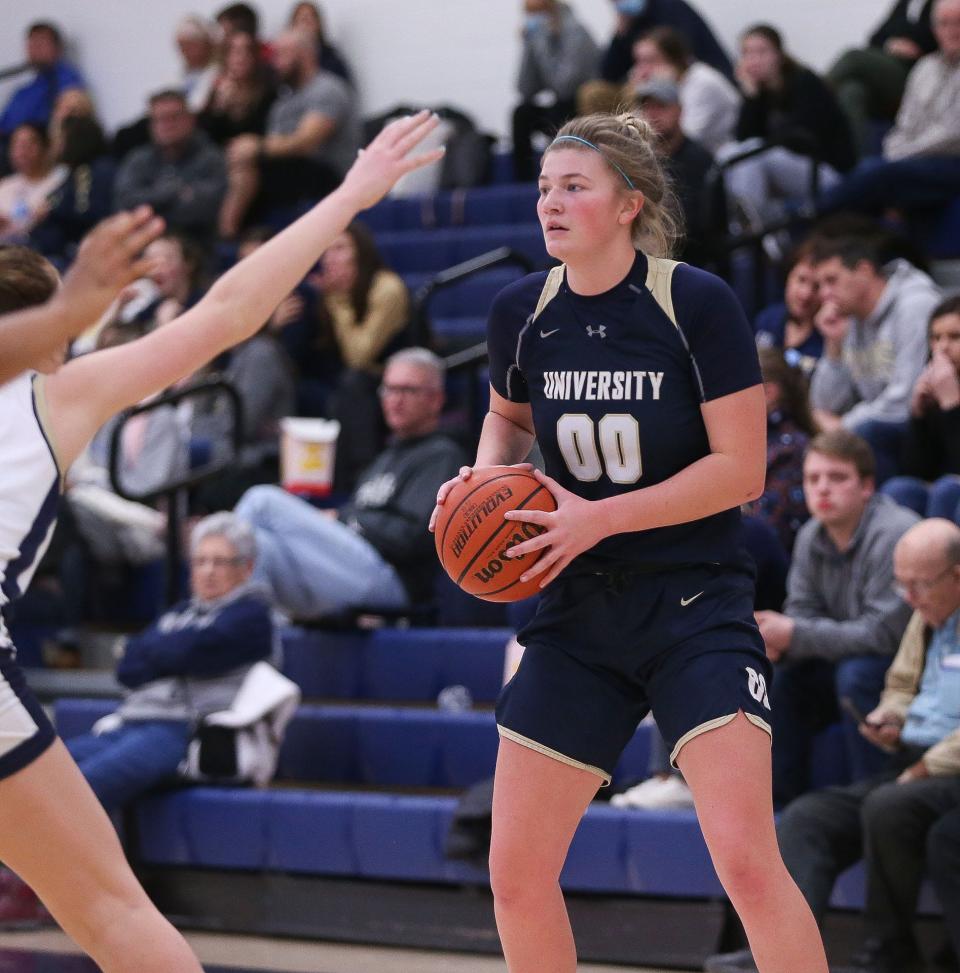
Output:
x=790 y=326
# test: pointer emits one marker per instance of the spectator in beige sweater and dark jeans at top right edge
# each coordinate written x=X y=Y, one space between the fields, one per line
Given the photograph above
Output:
x=920 y=167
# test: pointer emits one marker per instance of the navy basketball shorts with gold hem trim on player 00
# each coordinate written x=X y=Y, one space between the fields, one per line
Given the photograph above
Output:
x=603 y=650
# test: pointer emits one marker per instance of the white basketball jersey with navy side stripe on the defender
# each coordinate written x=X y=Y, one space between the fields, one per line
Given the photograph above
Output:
x=29 y=488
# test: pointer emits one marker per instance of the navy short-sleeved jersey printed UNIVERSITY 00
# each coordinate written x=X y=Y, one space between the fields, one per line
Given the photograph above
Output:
x=616 y=381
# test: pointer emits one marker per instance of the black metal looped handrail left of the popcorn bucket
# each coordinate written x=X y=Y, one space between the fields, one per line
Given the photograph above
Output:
x=174 y=491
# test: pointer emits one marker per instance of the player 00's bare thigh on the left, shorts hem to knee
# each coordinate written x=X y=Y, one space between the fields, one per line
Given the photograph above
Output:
x=538 y=802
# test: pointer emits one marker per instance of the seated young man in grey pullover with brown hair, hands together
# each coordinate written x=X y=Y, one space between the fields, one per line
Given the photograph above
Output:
x=843 y=616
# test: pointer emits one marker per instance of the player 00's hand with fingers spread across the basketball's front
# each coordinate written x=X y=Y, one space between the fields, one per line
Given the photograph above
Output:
x=571 y=529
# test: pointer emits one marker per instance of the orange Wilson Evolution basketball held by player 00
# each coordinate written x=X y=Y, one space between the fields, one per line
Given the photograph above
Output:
x=471 y=534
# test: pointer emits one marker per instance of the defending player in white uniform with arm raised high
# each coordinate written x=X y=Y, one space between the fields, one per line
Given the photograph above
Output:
x=53 y=832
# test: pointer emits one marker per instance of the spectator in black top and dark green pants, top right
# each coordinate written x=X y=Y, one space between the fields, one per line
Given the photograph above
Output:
x=870 y=81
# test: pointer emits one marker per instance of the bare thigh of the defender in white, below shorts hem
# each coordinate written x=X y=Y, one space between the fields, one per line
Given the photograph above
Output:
x=57 y=837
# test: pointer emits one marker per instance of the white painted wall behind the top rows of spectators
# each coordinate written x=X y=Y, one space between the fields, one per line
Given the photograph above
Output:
x=460 y=52
